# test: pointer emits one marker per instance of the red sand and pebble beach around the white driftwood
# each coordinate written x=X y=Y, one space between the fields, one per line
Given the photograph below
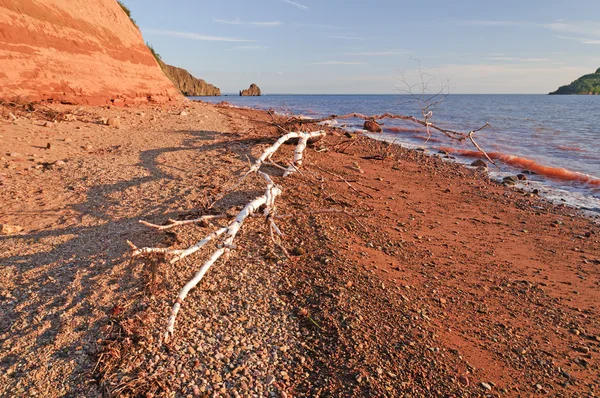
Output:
x=438 y=281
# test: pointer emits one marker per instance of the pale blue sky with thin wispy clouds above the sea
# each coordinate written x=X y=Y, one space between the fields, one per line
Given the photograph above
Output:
x=376 y=46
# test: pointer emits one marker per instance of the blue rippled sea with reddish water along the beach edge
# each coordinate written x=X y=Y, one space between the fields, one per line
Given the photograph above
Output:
x=556 y=138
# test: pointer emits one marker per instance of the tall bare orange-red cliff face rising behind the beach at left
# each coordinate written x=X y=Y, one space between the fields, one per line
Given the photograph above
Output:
x=78 y=51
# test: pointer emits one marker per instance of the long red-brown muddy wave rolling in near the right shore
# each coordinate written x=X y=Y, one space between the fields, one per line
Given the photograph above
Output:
x=529 y=164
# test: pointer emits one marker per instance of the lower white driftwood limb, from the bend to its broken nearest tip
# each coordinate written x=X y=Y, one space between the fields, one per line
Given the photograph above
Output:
x=231 y=231
